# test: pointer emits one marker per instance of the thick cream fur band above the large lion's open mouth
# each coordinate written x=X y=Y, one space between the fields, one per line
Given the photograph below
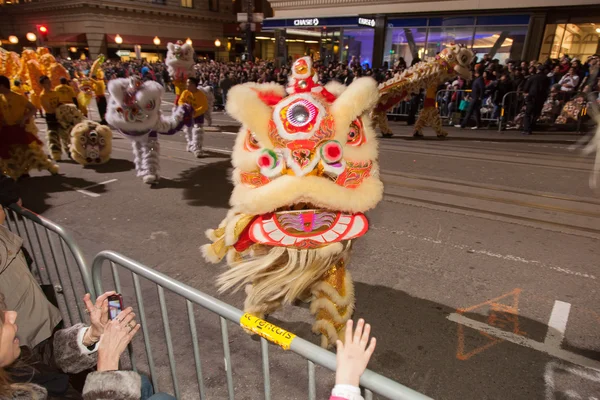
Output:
x=323 y=193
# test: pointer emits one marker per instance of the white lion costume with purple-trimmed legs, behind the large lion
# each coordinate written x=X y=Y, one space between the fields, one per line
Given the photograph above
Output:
x=134 y=109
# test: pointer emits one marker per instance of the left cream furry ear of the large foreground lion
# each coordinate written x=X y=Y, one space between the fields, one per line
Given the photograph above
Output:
x=244 y=104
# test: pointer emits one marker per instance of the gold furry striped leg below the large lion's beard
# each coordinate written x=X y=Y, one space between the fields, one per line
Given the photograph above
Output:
x=333 y=304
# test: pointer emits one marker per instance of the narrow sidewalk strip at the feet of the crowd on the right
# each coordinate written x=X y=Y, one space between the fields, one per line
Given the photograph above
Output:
x=402 y=131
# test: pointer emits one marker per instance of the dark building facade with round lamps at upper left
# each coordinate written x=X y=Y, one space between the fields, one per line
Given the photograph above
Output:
x=91 y=27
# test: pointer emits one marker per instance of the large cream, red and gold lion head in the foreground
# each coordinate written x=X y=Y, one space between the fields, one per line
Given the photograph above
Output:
x=310 y=158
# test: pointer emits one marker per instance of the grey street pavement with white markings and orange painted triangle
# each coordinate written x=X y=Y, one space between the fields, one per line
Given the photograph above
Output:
x=479 y=274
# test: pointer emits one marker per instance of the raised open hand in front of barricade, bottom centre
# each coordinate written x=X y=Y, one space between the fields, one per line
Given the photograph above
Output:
x=353 y=355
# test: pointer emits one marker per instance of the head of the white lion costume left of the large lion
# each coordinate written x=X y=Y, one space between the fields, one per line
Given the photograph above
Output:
x=134 y=105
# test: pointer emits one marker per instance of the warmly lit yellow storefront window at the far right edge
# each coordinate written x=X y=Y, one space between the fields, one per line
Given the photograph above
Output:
x=575 y=39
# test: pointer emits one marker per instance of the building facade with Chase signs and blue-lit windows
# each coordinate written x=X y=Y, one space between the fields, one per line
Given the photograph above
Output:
x=380 y=31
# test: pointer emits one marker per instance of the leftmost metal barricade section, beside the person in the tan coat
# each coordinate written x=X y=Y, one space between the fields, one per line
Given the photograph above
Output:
x=58 y=263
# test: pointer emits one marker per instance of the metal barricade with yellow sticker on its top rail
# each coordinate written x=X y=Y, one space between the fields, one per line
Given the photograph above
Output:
x=158 y=367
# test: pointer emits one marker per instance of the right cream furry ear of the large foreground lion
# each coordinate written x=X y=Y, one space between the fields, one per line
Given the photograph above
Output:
x=360 y=97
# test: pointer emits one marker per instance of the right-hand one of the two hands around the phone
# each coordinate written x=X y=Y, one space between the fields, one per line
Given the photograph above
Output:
x=117 y=335
